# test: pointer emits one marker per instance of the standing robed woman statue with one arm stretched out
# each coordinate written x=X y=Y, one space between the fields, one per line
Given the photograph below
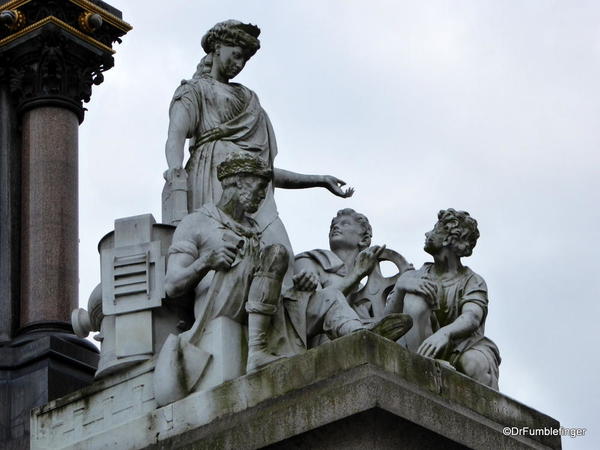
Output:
x=220 y=117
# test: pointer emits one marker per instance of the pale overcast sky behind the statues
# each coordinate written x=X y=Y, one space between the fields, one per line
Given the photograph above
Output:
x=488 y=106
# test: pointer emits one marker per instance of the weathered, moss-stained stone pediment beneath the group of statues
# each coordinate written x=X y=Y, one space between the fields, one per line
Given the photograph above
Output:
x=360 y=391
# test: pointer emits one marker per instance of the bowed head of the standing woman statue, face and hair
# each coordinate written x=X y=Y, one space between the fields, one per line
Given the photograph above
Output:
x=233 y=42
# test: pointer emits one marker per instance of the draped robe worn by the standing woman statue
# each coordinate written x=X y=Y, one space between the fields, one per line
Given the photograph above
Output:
x=245 y=126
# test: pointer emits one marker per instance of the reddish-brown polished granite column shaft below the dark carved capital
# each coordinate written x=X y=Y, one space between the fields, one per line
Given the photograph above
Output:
x=49 y=232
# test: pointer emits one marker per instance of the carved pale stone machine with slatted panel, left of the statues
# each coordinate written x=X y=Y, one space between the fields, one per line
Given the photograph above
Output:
x=127 y=308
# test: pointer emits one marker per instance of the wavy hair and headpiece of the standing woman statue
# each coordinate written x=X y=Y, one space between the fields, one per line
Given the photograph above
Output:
x=232 y=33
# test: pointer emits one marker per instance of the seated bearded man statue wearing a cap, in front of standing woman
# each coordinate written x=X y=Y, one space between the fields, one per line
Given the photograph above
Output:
x=247 y=281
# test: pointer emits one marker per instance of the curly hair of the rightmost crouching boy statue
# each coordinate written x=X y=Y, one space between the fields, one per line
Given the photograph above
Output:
x=462 y=230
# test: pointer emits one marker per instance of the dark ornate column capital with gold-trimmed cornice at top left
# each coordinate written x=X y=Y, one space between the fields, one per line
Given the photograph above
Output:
x=52 y=52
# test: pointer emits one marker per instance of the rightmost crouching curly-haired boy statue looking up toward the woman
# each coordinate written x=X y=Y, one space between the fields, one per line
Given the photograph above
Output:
x=448 y=302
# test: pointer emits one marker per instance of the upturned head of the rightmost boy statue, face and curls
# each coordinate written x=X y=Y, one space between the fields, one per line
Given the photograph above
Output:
x=456 y=230
